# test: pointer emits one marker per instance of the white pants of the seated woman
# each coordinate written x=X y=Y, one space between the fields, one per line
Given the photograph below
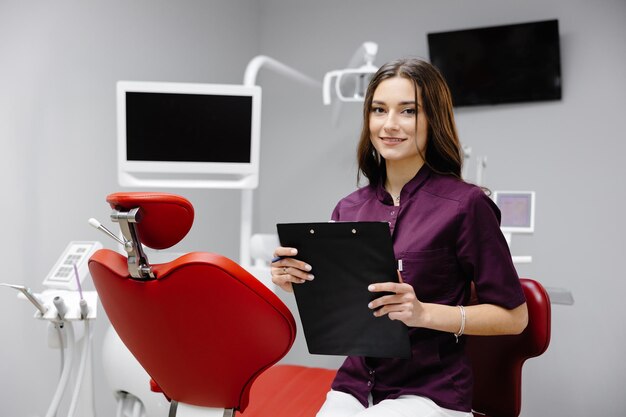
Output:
x=340 y=404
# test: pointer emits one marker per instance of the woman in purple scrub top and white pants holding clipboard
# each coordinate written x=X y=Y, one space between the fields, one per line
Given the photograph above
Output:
x=446 y=233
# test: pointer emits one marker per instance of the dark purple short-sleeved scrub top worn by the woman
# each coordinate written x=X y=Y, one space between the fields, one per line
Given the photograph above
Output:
x=446 y=233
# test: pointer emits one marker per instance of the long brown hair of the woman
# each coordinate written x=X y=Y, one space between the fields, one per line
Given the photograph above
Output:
x=443 y=149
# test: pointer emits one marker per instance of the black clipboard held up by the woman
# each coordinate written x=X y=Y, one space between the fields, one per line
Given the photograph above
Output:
x=346 y=257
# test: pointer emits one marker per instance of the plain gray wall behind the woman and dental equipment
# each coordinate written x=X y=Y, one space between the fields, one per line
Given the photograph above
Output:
x=58 y=65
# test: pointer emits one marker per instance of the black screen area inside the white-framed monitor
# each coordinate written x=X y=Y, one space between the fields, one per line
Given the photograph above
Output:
x=171 y=127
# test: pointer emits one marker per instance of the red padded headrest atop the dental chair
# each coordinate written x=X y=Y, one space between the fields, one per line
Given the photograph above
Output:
x=165 y=218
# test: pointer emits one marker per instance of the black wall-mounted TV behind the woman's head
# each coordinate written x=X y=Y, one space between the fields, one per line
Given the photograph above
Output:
x=500 y=64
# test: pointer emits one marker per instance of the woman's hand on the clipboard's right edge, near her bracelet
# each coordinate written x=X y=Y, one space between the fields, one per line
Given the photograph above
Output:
x=403 y=305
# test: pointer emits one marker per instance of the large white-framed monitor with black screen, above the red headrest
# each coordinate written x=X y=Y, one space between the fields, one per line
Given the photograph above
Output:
x=188 y=135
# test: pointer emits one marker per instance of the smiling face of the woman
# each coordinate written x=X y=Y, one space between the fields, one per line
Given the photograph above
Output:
x=392 y=123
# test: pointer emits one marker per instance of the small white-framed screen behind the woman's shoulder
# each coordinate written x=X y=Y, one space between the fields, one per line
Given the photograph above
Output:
x=517 y=209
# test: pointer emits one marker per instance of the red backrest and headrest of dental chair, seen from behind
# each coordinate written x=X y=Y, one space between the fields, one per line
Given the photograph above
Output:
x=201 y=326
